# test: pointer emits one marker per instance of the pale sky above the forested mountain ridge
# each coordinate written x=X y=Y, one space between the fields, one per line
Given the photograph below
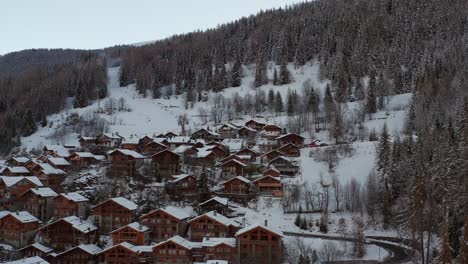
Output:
x=91 y=24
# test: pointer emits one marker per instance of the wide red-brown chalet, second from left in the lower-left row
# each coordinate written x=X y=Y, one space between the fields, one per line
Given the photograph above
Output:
x=68 y=232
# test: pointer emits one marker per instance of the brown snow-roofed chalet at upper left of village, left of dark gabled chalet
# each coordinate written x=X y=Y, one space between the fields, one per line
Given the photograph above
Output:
x=125 y=162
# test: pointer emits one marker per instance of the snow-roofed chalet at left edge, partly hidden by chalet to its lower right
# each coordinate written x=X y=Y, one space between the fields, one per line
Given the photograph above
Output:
x=11 y=187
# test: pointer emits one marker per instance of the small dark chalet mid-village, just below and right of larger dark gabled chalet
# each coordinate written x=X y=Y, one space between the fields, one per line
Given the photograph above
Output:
x=182 y=186
